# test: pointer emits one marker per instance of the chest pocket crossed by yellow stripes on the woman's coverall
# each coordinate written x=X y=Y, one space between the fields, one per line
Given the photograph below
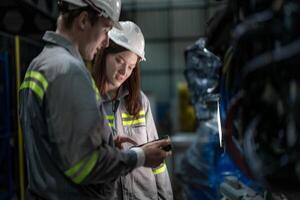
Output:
x=135 y=126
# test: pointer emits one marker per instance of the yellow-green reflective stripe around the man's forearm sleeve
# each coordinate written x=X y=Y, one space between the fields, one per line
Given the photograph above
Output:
x=80 y=171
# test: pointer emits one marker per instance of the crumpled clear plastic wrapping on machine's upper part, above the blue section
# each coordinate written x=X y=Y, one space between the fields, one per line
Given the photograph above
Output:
x=202 y=75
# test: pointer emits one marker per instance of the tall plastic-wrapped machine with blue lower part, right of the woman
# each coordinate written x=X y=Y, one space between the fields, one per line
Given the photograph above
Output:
x=204 y=165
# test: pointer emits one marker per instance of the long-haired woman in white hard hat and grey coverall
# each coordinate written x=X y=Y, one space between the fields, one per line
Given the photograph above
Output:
x=117 y=75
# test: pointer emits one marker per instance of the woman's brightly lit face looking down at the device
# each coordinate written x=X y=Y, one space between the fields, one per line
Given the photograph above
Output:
x=119 y=67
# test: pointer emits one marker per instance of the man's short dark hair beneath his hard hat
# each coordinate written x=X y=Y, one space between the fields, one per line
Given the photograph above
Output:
x=69 y=15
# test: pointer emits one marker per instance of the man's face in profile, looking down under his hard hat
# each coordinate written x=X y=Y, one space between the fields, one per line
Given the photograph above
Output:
x=95 y=37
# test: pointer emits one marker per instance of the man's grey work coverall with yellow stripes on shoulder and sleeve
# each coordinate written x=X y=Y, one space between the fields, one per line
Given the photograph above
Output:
x=69 y=148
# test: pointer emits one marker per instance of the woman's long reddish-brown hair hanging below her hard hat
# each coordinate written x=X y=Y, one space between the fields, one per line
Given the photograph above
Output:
x=132 y=84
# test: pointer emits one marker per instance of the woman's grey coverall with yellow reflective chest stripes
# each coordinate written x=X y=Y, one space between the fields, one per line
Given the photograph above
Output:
x=142 y=183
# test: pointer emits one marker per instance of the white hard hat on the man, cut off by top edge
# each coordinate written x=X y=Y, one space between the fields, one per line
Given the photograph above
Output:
x=111 y=8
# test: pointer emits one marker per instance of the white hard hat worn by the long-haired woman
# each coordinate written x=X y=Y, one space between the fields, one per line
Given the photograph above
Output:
x=129 y=37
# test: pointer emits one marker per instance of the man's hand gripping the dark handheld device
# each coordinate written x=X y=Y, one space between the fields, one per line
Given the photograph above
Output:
x=154 y=154
